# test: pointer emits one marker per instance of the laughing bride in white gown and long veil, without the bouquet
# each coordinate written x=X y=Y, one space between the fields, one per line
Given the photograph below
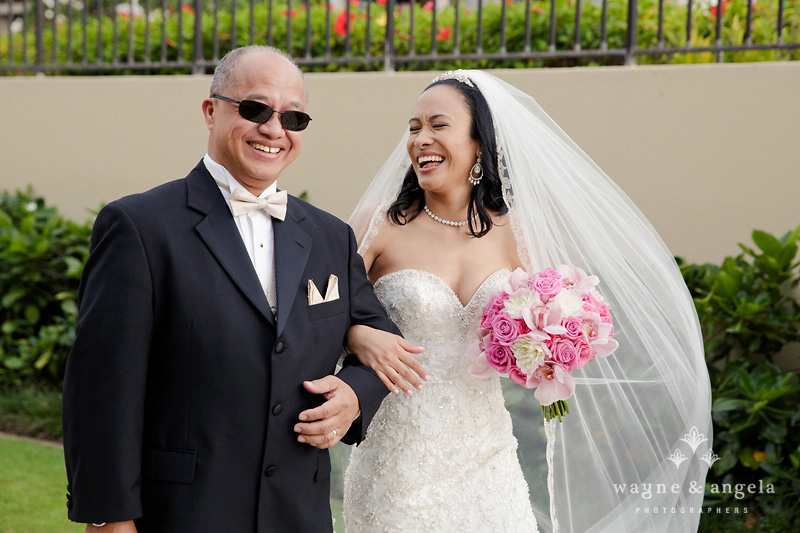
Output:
x=482 y=183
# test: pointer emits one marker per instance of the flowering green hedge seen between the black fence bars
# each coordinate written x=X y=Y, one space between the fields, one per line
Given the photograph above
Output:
x=703 y=34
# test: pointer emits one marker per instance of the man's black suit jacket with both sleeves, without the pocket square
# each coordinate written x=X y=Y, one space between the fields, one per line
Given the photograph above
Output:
x=182 y=390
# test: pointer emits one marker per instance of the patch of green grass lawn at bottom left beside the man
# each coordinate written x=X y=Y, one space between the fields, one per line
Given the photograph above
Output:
x=33 y=487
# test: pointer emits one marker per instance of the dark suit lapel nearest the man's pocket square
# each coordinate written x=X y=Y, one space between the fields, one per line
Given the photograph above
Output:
x=292 y=248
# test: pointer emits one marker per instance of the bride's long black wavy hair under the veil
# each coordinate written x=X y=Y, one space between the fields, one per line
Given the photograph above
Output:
x=486 y=195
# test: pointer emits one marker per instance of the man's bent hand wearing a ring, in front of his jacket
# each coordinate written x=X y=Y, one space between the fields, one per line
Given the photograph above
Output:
x=324 y=426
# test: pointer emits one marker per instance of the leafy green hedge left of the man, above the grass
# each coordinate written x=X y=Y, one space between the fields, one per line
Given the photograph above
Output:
x=41 y=260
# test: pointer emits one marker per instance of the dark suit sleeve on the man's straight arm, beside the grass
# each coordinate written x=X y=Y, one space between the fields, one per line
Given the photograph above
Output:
x=104 y=385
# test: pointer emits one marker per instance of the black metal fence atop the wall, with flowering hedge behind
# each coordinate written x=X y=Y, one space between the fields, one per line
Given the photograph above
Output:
x=108 y=36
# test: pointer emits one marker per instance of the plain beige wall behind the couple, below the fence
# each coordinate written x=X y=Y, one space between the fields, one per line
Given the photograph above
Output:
x=708 y=152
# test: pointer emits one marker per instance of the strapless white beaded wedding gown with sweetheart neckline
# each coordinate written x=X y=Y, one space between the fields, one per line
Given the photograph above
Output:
x=444 y=459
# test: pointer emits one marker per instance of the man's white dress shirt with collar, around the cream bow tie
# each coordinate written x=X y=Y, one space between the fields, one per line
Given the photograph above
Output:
x=254 y=227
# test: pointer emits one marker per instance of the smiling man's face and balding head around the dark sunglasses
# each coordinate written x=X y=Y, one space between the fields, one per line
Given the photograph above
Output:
x=256 y=154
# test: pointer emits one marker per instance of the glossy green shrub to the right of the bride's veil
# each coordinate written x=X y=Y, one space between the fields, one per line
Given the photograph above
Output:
x=749 y=311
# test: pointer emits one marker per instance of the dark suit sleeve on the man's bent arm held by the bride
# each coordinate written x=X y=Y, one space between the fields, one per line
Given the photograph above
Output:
x=365 y=309
